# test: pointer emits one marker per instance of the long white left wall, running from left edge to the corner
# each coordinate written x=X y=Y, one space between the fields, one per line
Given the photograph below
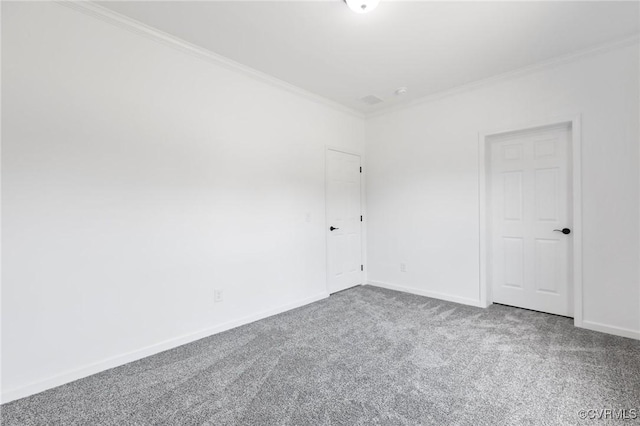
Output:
x=136 y=179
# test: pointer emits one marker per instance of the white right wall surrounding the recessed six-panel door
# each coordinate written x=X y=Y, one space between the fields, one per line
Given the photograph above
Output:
x=422 y=181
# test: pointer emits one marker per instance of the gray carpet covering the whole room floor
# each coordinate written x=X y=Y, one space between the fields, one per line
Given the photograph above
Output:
x=364 y=356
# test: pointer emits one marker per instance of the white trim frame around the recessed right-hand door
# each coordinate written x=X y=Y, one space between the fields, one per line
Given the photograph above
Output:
x=576 y=202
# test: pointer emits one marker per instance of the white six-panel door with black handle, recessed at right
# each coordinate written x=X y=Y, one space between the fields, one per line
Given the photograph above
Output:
x=529 y=206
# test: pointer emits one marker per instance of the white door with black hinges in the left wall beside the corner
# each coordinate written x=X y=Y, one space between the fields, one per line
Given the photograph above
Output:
x=344 y=233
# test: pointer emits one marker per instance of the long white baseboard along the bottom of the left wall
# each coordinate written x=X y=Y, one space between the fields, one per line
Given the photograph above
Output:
x=118 y=360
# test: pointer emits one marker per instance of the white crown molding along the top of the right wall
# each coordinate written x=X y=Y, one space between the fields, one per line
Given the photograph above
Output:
x=509 y=75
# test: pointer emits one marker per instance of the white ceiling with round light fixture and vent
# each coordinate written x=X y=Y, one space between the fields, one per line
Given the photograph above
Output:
x=427 y=46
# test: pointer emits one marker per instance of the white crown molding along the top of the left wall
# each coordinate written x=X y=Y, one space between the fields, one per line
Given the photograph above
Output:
x=124 y=22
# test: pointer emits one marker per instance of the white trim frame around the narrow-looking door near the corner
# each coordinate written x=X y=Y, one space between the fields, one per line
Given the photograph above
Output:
x=363 y=237
